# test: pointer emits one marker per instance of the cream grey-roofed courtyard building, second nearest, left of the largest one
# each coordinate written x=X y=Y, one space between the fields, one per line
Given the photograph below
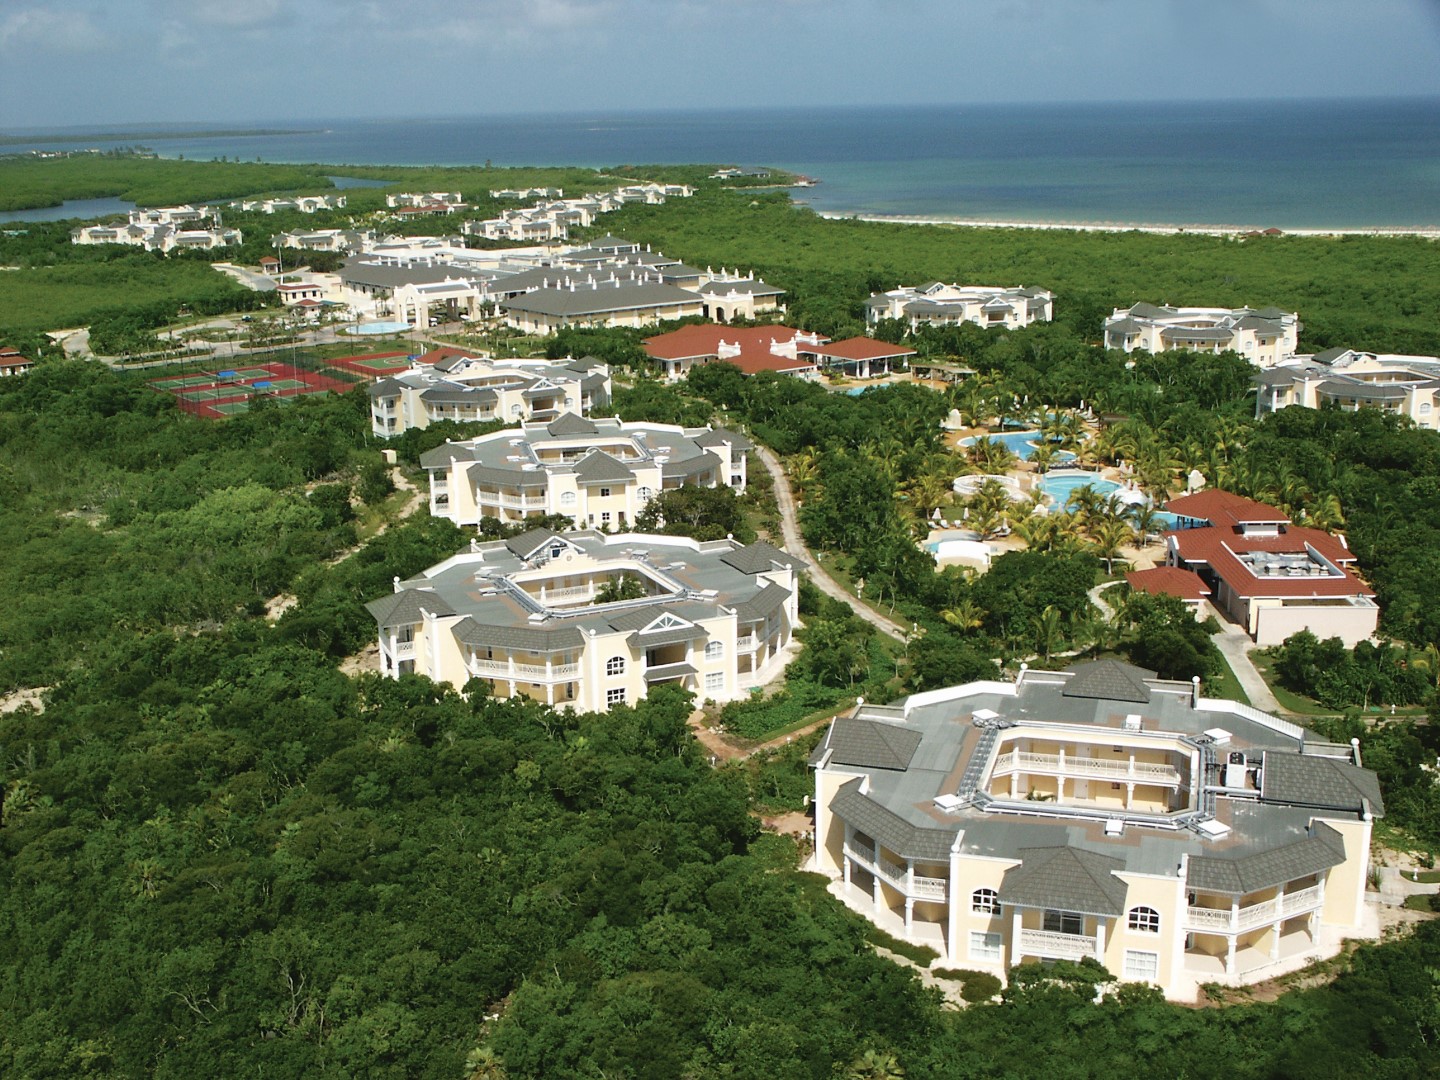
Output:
x=532 y=618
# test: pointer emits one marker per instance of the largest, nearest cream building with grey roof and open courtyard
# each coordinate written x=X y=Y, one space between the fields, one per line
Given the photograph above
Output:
x=1098 y=813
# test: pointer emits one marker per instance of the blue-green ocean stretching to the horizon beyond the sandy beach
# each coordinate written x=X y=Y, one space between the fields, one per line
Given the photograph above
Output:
x=1288 y=165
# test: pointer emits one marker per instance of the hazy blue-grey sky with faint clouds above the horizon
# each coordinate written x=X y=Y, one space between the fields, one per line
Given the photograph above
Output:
x=114 y=63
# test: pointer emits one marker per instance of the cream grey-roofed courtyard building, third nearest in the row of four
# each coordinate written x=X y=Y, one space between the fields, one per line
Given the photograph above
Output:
x=598 y=473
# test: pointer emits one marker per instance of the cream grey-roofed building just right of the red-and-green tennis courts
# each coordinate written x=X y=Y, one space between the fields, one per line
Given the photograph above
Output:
x=451 y=385
